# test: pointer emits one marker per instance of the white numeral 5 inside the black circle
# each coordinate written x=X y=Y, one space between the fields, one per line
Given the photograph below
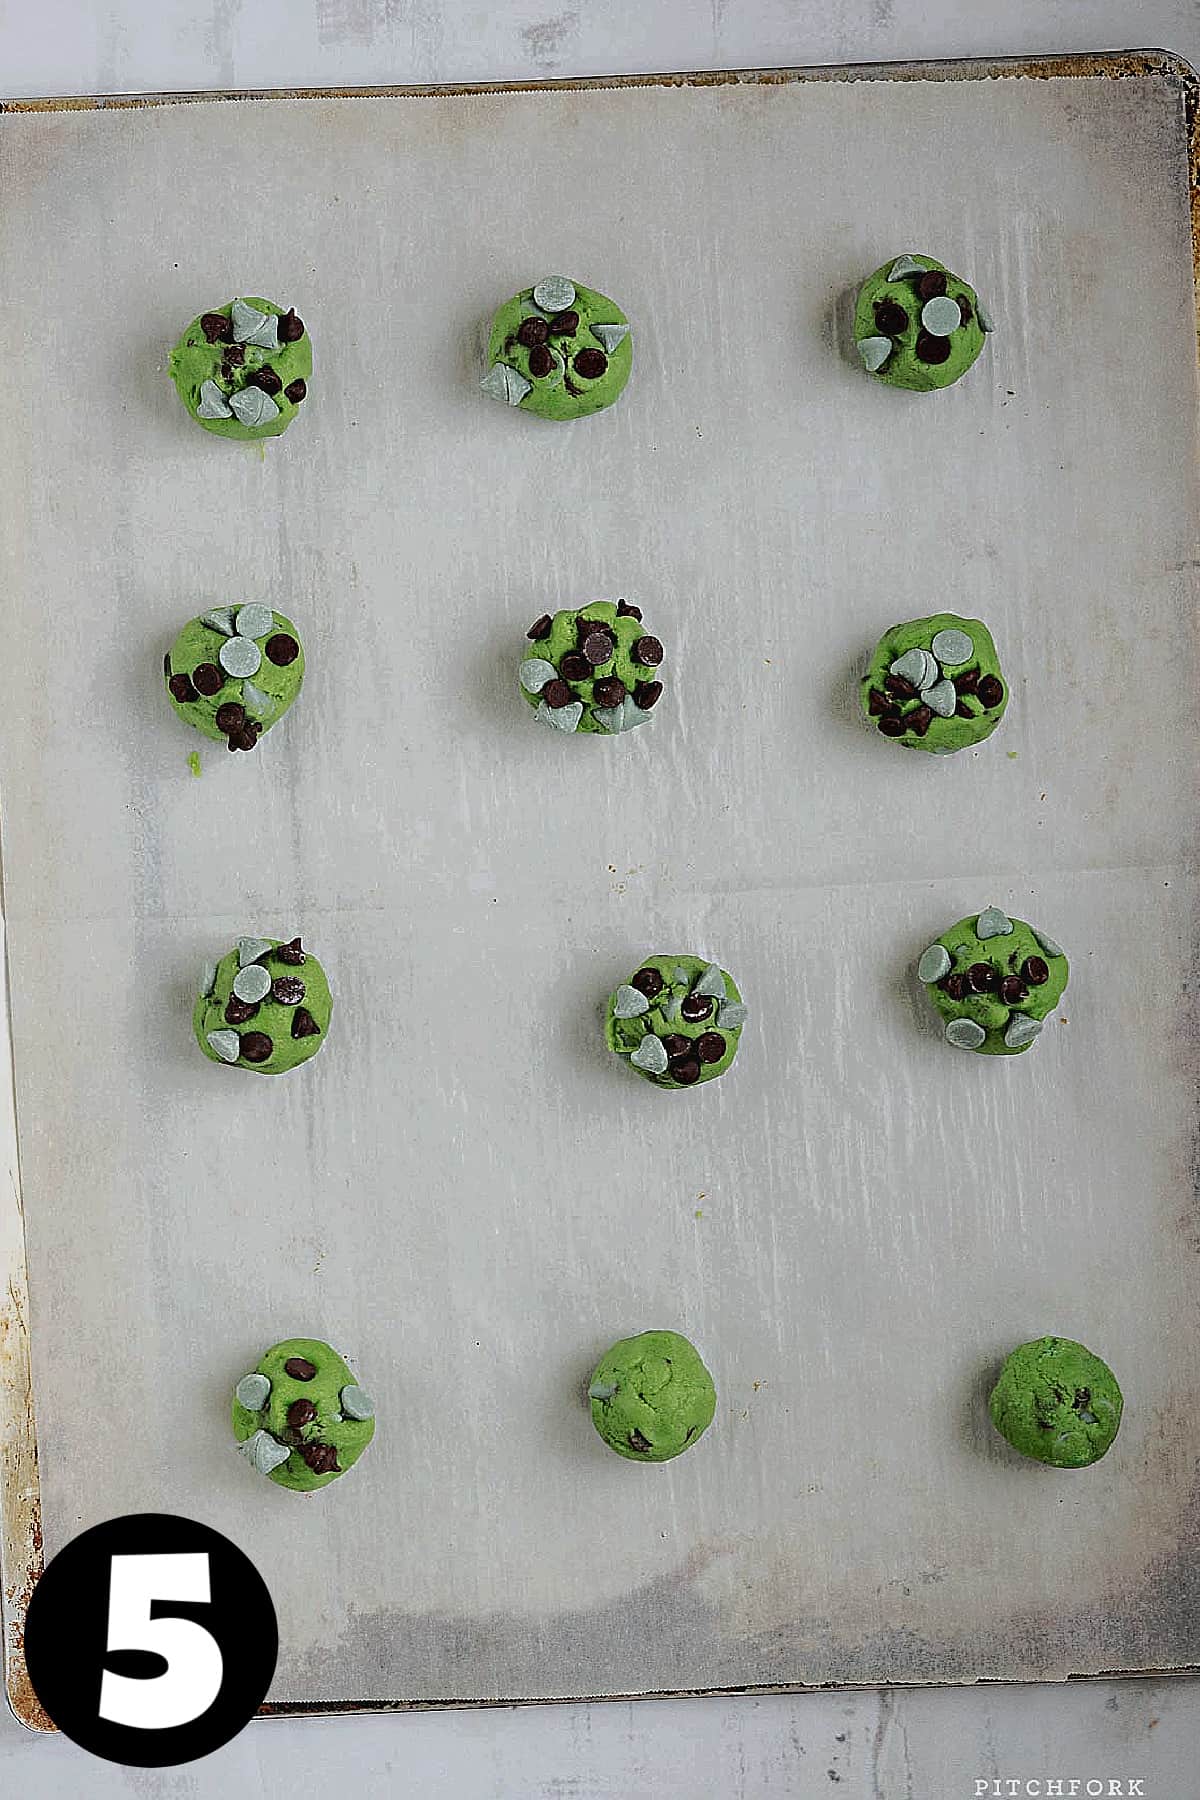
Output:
x=195 y=1664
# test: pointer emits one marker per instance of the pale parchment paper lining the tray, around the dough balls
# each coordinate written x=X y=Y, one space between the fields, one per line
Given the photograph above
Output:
x=465 y=1192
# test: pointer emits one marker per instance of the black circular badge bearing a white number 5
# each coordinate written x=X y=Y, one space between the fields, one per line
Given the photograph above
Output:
x=152 y=1641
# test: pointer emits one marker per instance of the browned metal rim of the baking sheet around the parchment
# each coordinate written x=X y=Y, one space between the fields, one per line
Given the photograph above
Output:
x=21 y=1497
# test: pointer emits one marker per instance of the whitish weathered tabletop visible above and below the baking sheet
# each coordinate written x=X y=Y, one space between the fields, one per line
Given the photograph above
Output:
x=863 y=1747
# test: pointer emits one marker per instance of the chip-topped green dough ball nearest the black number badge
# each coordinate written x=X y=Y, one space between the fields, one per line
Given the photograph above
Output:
x=300 y=1417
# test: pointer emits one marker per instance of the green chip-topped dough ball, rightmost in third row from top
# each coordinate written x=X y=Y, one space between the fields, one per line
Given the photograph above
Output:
x=994 y=980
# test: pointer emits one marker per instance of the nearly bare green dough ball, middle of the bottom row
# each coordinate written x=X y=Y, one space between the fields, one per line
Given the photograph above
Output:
x=652 y=1398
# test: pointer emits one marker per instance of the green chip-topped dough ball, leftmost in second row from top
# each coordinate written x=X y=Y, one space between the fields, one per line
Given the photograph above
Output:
x=235 y=672
